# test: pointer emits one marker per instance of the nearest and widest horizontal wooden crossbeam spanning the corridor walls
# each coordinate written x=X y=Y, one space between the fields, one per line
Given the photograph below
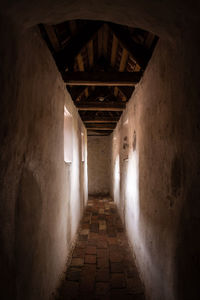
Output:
x=102 y=78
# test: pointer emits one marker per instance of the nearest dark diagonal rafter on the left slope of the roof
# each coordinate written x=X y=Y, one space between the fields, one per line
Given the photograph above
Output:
x=65 y=57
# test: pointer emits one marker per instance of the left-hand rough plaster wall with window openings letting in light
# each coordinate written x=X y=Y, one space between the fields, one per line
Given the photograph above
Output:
x=42 y=197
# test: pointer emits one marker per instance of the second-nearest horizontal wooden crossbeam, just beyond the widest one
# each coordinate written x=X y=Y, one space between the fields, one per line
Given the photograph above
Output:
x=95 y=106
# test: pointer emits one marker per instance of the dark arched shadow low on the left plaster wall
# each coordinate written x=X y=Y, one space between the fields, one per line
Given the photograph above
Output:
x=27 y=223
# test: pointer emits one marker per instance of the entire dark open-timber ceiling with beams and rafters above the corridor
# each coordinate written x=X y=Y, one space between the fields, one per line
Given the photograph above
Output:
x=100 y=63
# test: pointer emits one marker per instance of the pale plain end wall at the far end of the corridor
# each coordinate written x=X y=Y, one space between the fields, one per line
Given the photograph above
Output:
x=98 y=165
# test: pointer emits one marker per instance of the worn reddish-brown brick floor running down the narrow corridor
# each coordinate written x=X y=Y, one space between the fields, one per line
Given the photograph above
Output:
x=101 y=266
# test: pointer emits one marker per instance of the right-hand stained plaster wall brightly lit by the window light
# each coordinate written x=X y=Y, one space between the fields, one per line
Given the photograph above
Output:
x=154 y=177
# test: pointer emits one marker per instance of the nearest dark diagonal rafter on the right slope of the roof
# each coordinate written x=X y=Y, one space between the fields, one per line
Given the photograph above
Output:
x=140 y=54
